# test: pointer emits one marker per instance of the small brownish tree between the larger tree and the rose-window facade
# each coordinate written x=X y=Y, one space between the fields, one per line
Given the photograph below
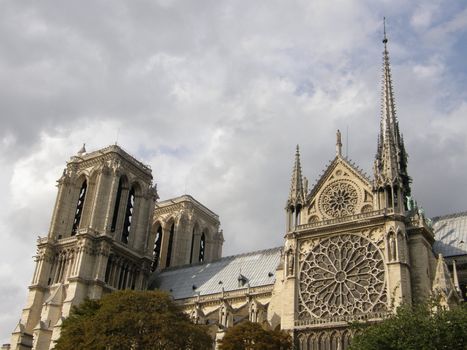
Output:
x=251 y=336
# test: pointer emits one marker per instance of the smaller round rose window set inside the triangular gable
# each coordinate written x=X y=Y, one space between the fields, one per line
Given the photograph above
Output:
x=339 y=199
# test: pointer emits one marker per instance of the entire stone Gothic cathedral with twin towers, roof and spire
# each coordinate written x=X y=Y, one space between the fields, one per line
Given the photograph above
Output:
x=354 y=248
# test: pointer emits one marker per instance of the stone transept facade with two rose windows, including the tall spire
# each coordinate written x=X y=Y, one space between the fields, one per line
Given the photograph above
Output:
x=355 y=248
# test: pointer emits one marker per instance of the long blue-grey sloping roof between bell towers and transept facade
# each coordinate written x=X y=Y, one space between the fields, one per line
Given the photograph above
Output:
x=256 y=268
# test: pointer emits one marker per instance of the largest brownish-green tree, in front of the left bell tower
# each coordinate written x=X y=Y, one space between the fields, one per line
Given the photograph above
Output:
x=131 y=320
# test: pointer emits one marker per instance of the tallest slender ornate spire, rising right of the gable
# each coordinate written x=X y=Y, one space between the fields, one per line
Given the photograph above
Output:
x=391 y=157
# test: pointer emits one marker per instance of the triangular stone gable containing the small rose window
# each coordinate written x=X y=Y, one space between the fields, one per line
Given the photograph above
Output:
x=342 y=191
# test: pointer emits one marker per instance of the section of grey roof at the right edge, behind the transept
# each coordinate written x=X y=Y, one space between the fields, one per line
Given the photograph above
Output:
x=450 y=234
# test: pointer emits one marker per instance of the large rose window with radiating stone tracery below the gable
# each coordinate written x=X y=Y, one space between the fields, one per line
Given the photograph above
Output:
x=342 y=275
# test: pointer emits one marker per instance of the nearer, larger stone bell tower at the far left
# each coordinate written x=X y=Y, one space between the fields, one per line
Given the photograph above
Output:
x=99 y=241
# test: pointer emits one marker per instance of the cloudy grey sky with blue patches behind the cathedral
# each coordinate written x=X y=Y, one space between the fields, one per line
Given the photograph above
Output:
x=214 y=95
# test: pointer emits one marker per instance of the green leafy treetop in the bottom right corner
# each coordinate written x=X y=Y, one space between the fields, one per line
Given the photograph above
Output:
x=416 y=328
